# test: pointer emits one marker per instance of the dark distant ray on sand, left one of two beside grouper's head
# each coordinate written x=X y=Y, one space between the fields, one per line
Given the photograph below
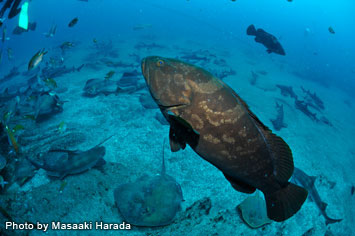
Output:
x=94 y=87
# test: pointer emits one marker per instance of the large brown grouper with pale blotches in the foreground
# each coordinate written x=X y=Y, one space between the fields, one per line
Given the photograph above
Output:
x=208 y=115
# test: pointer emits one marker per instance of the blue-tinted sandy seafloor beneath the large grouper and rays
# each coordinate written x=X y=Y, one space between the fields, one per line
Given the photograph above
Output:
x=135 y=150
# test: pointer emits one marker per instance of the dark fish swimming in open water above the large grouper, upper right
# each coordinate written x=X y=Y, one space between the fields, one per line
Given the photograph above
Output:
x=266 y=39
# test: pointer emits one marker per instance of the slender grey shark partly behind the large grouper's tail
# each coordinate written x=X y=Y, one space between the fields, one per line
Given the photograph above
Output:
x=307 y=182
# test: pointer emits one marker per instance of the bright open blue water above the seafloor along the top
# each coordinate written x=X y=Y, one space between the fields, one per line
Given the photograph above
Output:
x=224 y=22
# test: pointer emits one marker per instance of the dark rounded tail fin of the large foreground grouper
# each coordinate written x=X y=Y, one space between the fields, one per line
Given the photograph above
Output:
x=285 y=202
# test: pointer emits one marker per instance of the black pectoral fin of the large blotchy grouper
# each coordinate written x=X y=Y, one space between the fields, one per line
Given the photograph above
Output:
x=181 y=132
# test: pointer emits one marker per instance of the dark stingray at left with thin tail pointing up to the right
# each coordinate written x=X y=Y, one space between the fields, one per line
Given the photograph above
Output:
x=60 y=163
